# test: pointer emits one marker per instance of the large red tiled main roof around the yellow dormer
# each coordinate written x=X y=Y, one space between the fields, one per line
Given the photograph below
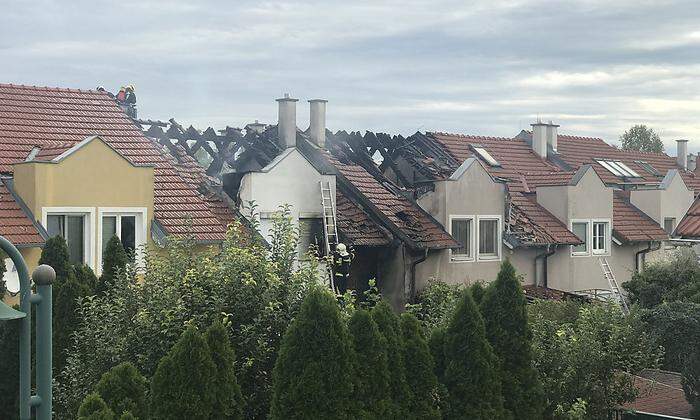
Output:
x=56 y=118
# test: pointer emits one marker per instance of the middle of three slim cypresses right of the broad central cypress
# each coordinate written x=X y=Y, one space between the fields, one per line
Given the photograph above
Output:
x=389 y=327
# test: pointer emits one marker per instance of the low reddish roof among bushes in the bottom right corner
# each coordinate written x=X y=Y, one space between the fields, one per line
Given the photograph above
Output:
x=660 y=392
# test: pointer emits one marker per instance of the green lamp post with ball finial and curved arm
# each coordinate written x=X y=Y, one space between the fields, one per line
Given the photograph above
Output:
x=43 y=277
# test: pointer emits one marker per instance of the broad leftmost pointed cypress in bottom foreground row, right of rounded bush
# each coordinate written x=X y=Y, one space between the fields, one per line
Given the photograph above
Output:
x=182 y=385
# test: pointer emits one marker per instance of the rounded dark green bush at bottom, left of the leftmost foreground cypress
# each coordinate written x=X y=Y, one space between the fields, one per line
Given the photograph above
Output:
x=123 y=389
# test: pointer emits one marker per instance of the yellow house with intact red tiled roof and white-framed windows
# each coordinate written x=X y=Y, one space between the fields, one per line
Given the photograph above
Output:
x=73 y=164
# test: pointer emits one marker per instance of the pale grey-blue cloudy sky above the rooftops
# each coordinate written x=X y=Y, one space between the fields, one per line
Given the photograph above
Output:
x=473 y=67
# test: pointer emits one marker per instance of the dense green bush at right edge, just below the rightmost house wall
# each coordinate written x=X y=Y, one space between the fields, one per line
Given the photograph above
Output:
x=676 y=279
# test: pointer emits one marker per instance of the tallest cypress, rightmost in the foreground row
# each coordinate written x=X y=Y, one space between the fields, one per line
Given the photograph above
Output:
x=507 y=329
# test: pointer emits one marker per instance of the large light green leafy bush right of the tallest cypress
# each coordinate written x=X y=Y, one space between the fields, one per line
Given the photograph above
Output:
x=587 y=360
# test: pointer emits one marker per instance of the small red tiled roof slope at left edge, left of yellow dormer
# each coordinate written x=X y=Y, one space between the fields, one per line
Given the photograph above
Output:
x=16 y=222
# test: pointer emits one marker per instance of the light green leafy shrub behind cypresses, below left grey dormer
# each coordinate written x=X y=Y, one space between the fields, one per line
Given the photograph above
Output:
x=435 y=304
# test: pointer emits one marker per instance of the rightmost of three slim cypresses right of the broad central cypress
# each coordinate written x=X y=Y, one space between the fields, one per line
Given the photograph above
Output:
x=420 y=375
